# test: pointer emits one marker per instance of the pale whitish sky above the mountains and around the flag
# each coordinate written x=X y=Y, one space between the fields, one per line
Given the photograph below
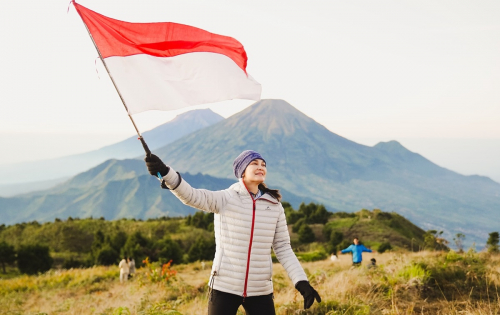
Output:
x=425 y=73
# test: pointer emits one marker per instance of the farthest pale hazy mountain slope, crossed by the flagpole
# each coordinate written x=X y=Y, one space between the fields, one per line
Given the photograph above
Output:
x=65 y=167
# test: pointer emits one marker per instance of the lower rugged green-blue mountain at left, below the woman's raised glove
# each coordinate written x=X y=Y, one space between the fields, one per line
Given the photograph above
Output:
x=114 y=189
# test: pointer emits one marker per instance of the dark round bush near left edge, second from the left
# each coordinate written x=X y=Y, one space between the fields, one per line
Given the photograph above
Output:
x=32 y=259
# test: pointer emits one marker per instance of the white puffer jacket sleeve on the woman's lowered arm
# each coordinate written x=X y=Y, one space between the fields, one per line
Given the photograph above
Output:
x=284 y=252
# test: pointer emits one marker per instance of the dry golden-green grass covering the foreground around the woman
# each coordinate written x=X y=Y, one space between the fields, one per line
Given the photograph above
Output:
x=403 y=283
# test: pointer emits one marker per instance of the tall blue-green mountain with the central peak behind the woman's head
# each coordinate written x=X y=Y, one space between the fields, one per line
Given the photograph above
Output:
x=309 y=160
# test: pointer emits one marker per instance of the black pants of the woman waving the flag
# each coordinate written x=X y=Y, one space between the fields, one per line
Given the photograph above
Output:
x=223 y=303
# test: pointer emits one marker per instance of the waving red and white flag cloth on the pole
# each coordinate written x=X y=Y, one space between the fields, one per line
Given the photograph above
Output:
x=166 y=66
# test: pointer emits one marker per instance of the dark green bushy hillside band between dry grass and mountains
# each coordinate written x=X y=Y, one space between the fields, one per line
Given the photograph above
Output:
x=77 y=239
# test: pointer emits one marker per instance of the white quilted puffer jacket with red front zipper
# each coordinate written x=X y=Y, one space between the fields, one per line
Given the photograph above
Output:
x=245 y=232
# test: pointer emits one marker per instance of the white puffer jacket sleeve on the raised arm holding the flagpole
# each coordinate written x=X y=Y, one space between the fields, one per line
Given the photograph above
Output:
x=202 y=199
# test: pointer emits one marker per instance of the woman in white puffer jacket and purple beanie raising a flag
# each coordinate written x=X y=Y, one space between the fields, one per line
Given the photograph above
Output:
x=249 y=219
